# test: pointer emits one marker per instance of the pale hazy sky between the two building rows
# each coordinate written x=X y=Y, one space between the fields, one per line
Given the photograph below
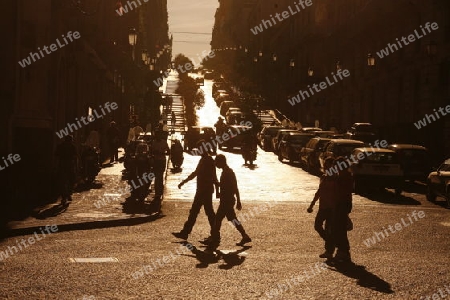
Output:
x=196 y=16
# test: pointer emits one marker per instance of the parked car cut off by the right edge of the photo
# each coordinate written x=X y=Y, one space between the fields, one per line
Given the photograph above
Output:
x=438 y=183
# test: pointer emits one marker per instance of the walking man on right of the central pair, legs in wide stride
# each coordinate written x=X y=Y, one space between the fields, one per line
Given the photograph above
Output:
x=228 y=191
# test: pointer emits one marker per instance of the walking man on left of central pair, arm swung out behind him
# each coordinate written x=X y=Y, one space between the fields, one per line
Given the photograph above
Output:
x=206 y=180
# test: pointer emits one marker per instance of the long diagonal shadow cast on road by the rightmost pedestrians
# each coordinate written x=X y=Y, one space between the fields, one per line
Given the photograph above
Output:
x=364 y=278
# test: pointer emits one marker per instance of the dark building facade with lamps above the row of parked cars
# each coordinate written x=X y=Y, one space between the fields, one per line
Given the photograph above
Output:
x=392 y=84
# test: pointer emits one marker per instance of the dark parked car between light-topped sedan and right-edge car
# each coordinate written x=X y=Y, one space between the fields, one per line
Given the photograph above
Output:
x=414 y=159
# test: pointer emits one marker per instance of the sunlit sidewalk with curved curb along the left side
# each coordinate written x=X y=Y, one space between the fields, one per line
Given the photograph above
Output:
x=103 y=204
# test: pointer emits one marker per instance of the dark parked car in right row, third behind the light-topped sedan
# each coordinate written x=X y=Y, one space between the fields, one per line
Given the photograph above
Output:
x=291 y=144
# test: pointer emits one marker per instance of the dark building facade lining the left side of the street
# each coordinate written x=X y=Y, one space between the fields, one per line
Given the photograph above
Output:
x=77 y=76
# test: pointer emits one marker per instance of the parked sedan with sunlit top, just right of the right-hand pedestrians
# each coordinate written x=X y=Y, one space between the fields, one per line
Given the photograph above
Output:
x=376 y=168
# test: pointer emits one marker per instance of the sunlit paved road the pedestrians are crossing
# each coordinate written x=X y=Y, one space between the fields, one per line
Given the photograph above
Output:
x=400 y=246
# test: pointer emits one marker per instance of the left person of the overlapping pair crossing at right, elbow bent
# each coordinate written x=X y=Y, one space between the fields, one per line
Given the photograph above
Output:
x=326 y=194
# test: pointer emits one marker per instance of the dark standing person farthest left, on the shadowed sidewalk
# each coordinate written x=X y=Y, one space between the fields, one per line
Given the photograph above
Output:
x=67 y=162
